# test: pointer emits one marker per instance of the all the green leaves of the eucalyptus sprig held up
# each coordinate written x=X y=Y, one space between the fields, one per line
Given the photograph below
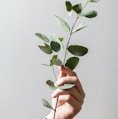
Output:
x=54 y=45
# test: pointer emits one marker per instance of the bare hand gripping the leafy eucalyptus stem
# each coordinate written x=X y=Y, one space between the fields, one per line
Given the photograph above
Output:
x=70 y=101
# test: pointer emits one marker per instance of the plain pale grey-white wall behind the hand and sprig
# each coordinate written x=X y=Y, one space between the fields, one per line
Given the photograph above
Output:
x=22 y=77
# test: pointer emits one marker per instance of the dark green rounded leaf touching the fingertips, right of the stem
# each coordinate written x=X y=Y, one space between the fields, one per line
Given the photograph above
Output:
x=72 y=62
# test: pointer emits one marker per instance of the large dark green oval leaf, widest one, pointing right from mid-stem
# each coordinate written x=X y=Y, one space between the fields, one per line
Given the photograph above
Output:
x=77 y=50
